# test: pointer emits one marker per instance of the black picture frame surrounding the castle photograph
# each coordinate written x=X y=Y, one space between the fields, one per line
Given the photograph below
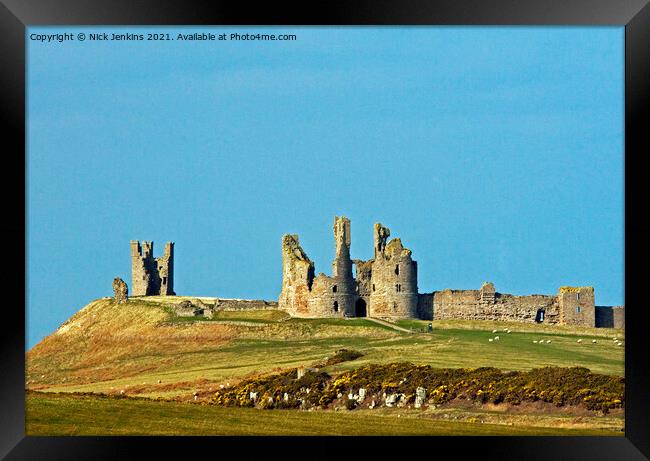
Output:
x=16 y=15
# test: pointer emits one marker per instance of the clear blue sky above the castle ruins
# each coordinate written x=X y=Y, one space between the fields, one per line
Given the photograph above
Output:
x=494 y=153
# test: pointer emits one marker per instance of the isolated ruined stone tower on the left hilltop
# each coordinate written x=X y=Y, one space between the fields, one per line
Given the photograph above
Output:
x=151 y=276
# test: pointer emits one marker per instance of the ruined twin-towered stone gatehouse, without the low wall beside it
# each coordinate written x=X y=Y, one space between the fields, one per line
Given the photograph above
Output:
x=385 y=286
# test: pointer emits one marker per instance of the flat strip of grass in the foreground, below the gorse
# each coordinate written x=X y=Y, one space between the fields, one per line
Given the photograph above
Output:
x=81 y=415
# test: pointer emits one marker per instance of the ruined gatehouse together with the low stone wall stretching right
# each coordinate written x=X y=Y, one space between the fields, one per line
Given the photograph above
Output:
x=386 y=287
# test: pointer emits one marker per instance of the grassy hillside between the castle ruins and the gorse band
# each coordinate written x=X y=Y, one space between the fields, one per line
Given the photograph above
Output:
x=108 y=348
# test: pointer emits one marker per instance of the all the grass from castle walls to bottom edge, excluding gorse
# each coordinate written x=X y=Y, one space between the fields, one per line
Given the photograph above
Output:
x=143 y=349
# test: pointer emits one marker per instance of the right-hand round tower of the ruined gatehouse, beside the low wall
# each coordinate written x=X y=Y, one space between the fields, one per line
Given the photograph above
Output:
x=393 y=278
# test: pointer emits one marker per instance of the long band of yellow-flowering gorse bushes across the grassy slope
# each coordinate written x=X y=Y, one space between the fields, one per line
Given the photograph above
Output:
x=559 y=386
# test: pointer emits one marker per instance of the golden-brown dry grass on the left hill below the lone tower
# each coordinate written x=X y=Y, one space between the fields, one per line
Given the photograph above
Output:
x=106 y=341
